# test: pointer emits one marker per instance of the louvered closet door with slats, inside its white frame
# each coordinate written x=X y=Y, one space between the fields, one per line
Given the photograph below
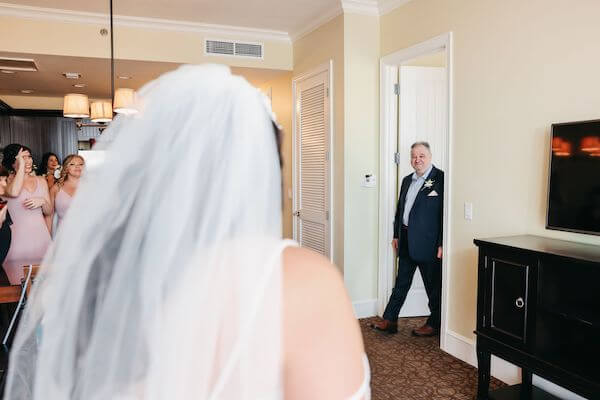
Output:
x=312 y=225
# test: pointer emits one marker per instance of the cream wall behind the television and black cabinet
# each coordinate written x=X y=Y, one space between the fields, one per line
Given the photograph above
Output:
x=519 y=66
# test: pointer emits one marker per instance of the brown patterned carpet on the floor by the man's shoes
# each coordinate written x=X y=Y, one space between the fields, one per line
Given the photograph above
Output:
x=404 y=367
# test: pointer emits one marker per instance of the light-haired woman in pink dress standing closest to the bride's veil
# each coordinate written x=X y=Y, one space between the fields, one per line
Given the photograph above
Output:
x=66 y=186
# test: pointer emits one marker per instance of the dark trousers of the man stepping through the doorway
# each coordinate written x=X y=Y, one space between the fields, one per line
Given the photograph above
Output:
x=431 y=272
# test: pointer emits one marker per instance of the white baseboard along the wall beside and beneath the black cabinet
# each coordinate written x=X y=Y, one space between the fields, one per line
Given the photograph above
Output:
x=464 y=349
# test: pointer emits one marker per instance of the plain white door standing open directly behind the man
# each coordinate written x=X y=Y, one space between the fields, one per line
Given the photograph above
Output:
x=422 y=117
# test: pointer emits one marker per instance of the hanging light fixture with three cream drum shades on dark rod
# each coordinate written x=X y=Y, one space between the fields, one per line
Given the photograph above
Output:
x=77 y=105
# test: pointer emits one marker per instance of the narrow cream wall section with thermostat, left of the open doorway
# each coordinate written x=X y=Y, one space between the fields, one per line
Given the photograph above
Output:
x=361 y=154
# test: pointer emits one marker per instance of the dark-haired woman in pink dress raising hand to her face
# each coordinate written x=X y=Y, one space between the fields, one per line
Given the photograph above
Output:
x=28 y=203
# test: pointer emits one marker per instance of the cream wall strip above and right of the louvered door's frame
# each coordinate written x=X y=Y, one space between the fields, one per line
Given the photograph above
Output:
x=318 y=47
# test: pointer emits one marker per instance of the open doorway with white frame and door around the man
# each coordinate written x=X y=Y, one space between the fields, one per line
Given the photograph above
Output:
x=416 y=93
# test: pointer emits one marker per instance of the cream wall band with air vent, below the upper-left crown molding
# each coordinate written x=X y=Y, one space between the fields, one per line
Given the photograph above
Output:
x=37 y=36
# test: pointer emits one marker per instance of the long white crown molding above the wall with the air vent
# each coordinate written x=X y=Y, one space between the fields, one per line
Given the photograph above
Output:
x=15 y=10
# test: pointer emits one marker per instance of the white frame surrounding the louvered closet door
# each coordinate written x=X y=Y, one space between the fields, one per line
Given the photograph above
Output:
x=325 y=67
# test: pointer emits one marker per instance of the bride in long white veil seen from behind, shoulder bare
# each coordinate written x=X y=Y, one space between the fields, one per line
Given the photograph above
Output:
x=169 y=279
